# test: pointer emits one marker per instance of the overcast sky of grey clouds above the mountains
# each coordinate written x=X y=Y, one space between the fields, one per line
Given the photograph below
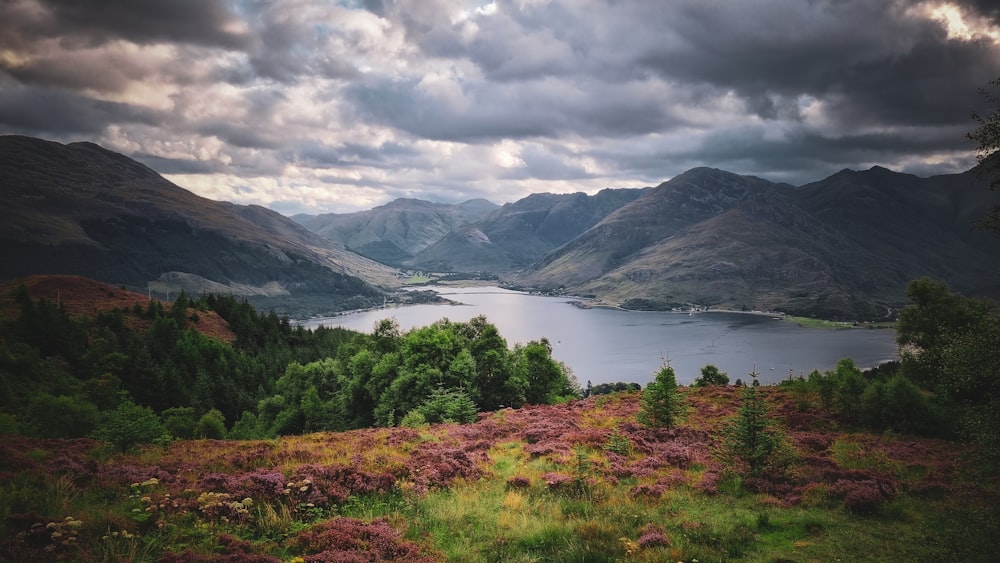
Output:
x=335 y=106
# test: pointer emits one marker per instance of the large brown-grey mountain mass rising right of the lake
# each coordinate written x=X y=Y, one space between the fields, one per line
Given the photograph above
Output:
x=844 y=247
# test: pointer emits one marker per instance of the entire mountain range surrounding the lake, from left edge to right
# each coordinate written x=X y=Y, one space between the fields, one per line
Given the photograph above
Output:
x=842 y=248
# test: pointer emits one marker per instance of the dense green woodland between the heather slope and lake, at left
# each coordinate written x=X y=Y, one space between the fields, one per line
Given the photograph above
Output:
x=63 y=376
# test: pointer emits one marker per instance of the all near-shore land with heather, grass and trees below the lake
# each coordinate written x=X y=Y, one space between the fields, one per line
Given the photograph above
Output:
x=344 y=446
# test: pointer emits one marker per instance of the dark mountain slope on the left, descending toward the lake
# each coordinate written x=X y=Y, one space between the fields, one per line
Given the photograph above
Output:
x=80 y=209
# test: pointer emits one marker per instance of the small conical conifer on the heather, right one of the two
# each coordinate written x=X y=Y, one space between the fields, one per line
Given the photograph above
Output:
x=751 y=438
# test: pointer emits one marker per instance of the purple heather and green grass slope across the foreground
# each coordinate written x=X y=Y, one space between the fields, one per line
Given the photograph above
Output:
x=573 y=482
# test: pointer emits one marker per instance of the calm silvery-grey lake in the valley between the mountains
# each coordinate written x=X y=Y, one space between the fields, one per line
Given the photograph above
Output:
x=609 y=345
